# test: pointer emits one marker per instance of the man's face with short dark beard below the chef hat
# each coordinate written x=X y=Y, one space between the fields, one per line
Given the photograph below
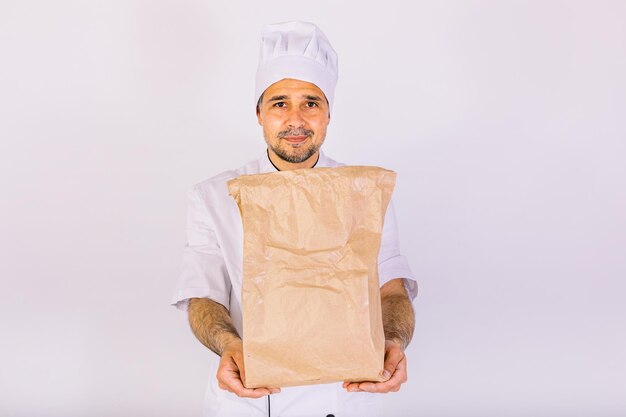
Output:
x=294 y=115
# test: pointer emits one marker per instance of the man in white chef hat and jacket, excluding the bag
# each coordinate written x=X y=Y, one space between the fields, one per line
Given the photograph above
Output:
x=294 y=91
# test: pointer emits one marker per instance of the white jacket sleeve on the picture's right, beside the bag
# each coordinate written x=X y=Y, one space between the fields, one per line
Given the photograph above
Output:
x=391 y=263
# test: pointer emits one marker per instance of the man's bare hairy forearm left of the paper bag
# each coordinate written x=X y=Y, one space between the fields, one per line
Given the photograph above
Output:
x=212 y=325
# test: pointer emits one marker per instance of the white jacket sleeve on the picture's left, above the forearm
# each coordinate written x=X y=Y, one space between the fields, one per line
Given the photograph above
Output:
x=203 y=273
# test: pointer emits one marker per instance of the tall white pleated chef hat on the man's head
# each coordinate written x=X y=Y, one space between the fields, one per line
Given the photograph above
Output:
x=297 y=50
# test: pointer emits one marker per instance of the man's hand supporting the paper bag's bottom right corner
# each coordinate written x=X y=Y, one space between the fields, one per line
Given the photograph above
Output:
x=395 y=372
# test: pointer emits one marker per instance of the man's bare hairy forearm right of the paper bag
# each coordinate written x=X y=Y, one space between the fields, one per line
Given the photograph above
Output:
x=398 y=318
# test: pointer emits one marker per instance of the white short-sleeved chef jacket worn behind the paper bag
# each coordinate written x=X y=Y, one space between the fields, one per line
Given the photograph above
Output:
x=212 y=268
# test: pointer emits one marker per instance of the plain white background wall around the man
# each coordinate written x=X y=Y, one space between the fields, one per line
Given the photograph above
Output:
x=505 y=123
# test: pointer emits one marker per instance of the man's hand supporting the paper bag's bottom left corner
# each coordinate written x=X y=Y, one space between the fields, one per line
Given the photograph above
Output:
x=230 y=374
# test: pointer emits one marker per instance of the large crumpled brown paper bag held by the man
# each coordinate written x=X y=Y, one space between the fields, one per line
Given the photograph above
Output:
x=310 y=295
